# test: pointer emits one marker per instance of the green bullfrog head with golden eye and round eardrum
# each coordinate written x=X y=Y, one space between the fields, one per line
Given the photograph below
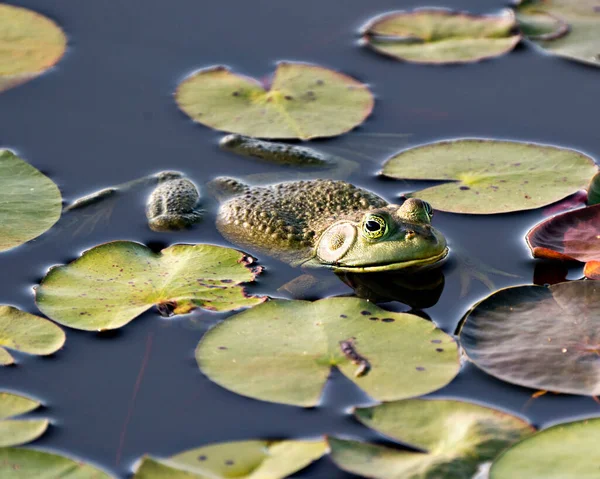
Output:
x=382 y=239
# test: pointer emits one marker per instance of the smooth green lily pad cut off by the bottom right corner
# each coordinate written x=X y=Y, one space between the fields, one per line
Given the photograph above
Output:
x=563 y=451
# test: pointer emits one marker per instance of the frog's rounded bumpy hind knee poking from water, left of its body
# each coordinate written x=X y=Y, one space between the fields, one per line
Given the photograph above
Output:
x=173 y=205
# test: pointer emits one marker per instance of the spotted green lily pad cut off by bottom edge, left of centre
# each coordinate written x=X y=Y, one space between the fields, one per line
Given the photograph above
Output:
x=241 y=459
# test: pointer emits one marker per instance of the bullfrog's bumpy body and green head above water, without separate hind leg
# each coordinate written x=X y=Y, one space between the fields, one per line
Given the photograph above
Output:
x=332 y=224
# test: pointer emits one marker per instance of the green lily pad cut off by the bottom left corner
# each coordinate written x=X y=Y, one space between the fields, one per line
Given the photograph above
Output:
x=18 y=463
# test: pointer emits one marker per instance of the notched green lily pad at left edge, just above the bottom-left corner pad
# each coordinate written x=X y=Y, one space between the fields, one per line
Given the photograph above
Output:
x=18 y=431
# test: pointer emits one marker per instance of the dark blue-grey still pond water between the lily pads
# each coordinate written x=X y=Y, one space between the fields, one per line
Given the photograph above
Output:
x=106 y=115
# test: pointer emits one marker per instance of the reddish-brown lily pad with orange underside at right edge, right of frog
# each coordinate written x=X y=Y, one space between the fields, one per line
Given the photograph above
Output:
x=571 y=236
